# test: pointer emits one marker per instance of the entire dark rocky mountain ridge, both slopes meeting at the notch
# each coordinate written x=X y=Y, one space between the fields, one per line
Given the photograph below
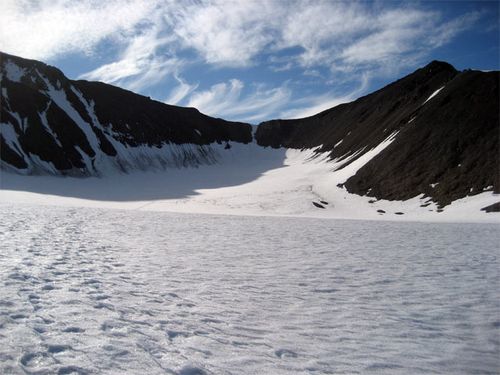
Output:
x=434 y=132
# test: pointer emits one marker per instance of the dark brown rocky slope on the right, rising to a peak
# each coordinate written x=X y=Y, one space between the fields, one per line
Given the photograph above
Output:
x=446 y=148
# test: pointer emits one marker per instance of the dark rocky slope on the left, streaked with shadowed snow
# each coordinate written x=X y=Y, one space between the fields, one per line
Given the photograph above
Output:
x=51 y=124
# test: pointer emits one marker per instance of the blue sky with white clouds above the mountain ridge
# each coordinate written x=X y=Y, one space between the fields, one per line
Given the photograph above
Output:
x=251 y=60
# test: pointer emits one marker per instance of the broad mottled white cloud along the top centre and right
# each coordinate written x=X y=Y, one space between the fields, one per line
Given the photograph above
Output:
x=345 y=35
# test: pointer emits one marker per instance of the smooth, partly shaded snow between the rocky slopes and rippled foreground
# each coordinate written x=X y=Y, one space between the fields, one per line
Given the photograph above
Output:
x=243 y=180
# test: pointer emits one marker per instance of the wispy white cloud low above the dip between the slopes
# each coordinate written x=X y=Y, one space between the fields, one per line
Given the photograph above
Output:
x=226 y=100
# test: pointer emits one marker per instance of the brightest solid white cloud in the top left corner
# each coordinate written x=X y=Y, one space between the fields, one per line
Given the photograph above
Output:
x=48 y=28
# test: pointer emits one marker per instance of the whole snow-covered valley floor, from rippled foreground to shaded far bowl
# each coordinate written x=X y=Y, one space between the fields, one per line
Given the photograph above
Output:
x=142 y=274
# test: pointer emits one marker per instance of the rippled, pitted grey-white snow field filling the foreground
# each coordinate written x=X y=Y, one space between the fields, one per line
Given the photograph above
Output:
x=106 y=291
